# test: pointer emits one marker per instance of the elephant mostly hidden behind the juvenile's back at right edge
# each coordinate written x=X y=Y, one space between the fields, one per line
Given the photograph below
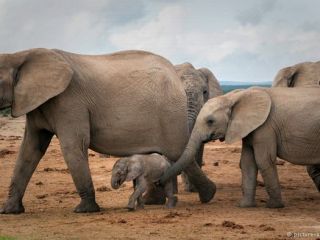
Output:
x=306 y=74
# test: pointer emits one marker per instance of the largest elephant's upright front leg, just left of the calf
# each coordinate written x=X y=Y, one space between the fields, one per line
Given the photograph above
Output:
x=75 y=151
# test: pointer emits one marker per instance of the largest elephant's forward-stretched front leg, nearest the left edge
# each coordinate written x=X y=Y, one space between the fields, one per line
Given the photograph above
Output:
x=33 y=147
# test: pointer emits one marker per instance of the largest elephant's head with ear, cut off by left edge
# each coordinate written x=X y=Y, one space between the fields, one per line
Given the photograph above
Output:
x=30 y=78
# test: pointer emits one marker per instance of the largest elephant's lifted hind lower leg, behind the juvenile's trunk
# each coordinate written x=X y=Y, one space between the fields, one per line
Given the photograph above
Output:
x=206 y=188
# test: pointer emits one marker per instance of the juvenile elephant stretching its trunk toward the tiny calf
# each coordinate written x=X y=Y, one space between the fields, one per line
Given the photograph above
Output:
x=271 y=122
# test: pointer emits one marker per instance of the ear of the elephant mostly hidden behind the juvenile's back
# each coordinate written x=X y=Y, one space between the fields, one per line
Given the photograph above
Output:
x=285 y=77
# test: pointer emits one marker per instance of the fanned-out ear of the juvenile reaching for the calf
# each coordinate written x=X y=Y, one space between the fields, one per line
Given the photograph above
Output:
x=249 y=110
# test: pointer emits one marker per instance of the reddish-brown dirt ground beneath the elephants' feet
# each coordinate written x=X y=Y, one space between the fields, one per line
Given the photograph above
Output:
x=51 y=197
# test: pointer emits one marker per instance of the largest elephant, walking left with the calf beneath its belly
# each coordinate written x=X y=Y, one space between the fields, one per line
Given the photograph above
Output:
x=121 y=104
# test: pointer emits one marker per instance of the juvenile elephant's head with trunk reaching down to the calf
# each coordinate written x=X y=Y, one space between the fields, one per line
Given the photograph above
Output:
x=230 y=117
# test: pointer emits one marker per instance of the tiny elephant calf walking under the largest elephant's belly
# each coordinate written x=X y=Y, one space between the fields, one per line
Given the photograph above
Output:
x=143 y=170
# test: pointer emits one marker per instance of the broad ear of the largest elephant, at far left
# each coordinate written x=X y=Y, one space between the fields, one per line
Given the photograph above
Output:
x=41 y=75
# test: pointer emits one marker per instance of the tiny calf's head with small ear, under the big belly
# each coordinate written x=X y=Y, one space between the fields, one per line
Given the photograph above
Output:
x=125 y=169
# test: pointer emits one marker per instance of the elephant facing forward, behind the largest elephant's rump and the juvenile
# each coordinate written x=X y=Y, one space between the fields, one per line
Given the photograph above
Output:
x=200 y=85
